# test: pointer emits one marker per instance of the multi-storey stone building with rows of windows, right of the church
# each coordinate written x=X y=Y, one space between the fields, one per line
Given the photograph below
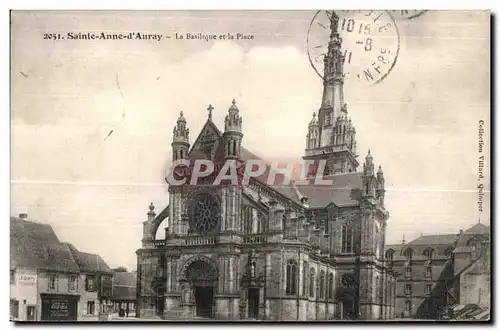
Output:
x=438 y=272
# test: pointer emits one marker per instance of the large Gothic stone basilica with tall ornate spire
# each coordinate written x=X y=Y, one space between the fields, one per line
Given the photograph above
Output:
x=272 y=252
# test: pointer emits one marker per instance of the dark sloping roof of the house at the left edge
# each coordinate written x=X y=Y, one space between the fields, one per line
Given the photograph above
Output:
x=35 y=245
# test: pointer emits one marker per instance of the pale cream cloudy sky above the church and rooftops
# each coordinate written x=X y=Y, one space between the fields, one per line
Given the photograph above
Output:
x=420 y=122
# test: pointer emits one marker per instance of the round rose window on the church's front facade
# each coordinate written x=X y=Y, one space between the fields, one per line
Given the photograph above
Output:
x=203 y=213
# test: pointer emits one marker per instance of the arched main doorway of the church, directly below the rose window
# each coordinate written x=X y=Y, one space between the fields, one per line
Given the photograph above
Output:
x=202 y=278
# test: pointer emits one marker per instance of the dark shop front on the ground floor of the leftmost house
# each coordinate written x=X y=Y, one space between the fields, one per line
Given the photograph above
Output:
x=59 y=307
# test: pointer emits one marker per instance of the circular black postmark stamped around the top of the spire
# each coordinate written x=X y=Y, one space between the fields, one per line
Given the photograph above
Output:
x=369 y=42
